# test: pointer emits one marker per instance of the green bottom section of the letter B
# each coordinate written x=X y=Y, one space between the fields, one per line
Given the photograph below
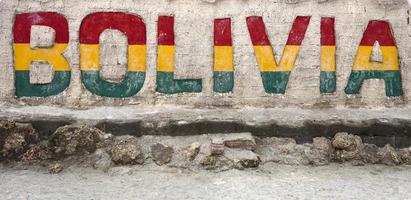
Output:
x=24 y=88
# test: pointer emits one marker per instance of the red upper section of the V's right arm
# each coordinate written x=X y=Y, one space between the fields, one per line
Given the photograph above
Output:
x=297 y=33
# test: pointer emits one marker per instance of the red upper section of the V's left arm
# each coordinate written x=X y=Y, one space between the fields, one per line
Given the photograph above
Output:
x=256 y=28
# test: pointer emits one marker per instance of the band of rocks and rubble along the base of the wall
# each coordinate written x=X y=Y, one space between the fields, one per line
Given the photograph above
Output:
x=212 y=152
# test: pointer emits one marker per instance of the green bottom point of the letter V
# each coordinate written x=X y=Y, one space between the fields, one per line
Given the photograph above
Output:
x=275 y=82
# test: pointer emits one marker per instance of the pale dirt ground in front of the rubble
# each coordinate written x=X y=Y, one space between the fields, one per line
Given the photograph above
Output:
x=272 y=181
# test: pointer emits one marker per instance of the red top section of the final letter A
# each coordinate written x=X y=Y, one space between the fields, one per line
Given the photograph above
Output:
x=378 y=31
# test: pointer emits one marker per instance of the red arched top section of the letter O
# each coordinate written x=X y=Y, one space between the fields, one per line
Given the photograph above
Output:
x=131 y=25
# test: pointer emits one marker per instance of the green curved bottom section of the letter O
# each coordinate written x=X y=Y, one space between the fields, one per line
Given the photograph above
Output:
x=131 y=85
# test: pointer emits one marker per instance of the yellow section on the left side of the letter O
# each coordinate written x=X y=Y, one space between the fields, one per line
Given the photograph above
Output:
x=89 y=57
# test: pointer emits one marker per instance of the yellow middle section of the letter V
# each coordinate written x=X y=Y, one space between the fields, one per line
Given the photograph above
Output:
x=266 y=60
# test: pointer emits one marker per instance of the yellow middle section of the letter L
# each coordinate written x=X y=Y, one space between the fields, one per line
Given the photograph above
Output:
x=165 y=58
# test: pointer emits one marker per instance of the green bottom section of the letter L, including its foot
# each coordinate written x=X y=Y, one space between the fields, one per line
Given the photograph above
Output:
x=168 y=85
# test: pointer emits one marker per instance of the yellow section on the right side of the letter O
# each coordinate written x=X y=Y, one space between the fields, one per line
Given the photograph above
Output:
x=137 y=55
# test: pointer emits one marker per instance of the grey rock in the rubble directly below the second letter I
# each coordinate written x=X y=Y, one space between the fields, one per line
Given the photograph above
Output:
x=321 y=151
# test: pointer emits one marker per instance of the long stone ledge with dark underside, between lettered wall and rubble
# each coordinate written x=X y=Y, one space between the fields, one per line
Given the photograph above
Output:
x=378 y=125
